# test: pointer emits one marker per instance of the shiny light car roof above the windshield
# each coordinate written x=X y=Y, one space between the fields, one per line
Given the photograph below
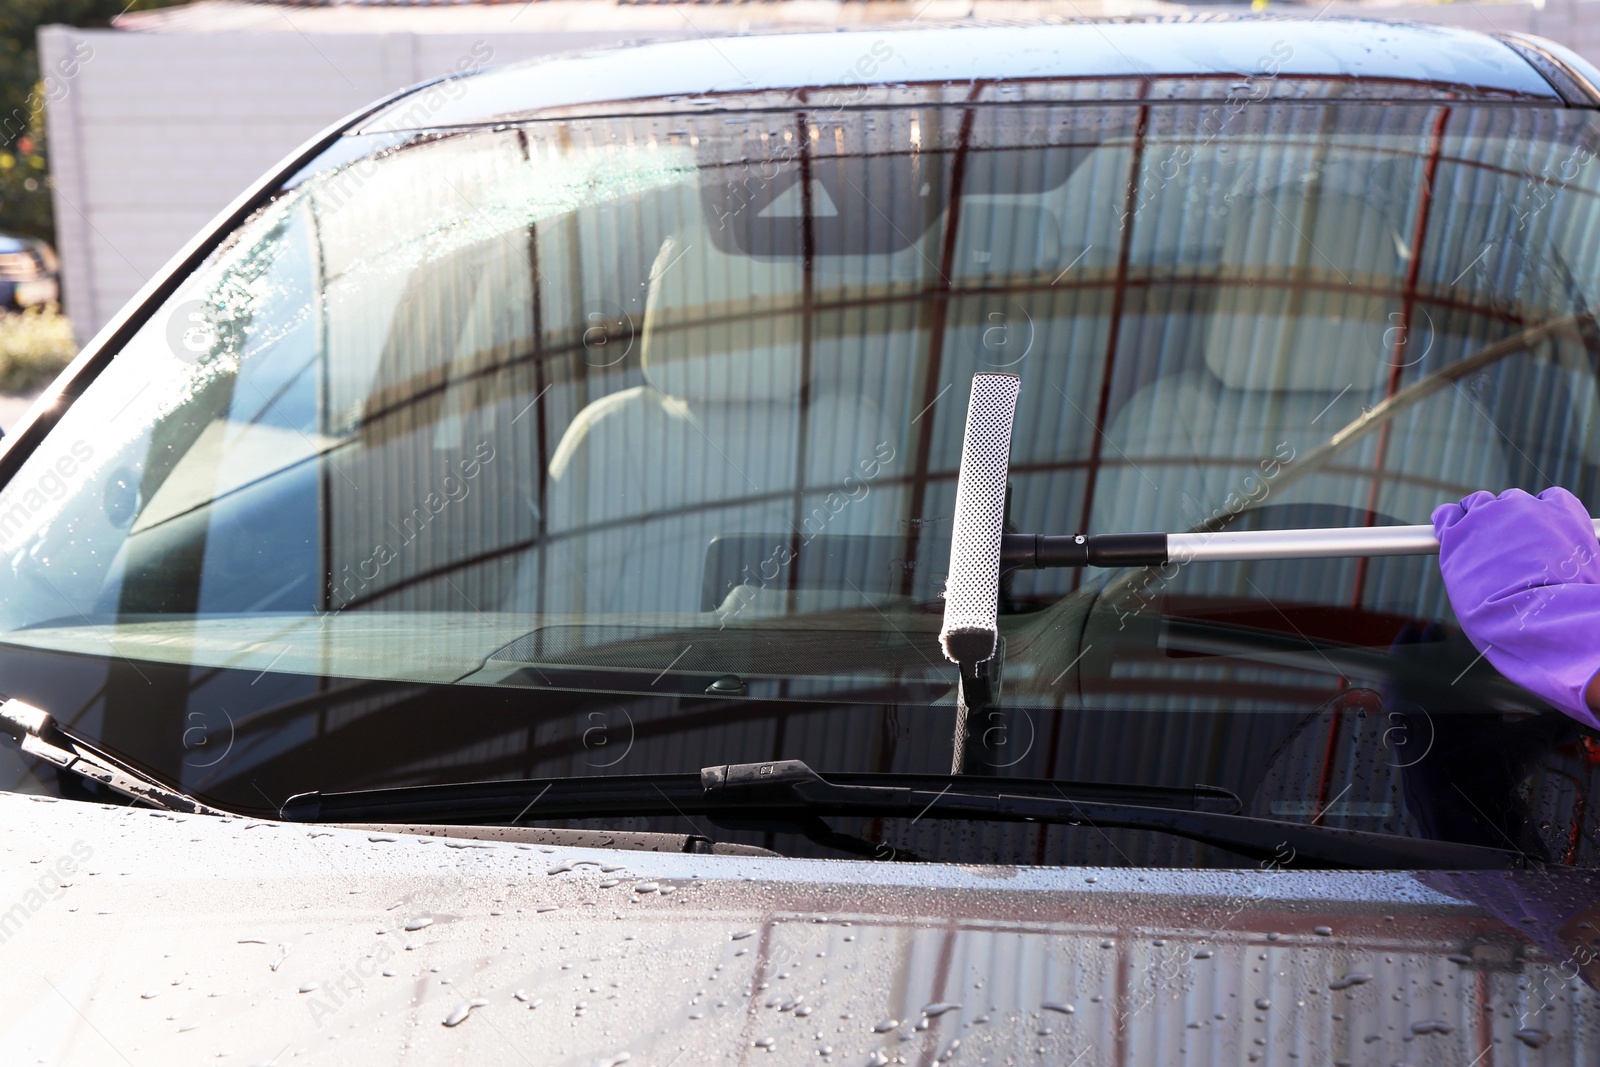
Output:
x=1462 y=62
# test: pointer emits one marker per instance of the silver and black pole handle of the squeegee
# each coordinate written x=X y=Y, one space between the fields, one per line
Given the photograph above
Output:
x=1156 y=549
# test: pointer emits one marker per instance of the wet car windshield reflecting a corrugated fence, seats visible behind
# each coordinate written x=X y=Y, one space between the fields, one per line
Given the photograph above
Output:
x=625 y=444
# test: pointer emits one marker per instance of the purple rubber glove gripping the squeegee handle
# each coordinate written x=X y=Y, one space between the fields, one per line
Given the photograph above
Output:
x=1524 y=577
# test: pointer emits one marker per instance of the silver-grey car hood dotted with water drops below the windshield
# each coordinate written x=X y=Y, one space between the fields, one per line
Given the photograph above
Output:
x=150 y=938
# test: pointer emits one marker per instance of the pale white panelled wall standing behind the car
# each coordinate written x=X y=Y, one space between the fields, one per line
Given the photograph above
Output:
x=158 y=132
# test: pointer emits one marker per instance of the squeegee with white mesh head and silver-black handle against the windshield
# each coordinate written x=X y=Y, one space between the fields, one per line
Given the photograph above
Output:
x=982 y=549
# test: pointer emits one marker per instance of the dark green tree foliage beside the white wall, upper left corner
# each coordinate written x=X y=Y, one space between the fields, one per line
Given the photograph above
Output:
x=25 y=167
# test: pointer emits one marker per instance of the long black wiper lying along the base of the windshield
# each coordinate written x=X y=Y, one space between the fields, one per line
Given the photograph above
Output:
x=791 y=794
